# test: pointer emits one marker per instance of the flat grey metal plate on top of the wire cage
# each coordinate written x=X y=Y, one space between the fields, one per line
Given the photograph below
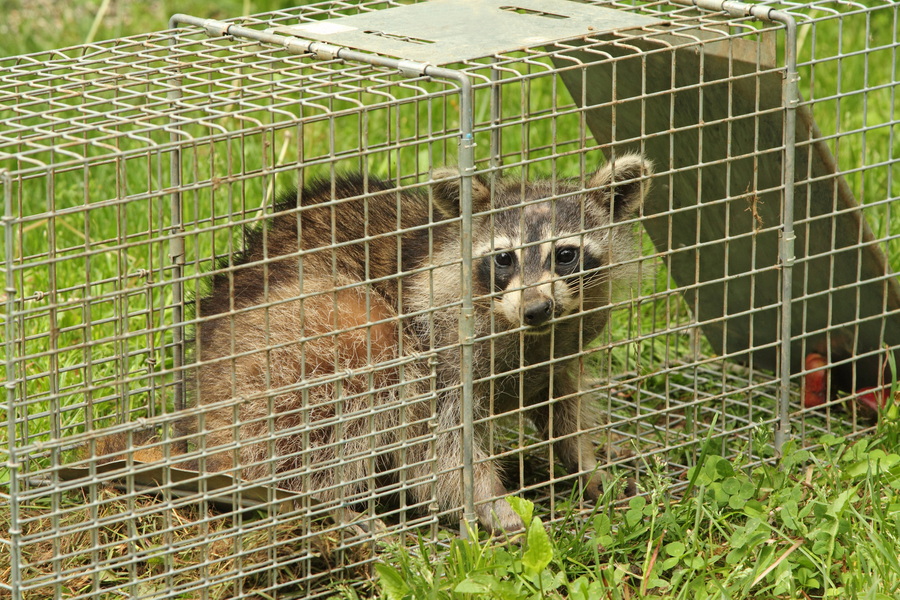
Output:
x=448 y=31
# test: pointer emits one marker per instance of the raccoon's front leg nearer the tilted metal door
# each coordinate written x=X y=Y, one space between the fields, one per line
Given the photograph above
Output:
x=570 y=421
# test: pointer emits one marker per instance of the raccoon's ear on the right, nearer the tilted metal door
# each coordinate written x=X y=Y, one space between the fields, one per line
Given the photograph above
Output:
x=620 y=186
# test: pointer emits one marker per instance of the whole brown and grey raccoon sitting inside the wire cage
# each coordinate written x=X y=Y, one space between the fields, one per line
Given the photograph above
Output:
x=330 y=341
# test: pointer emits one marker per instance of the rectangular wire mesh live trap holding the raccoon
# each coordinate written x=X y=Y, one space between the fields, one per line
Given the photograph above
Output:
x=138 y=176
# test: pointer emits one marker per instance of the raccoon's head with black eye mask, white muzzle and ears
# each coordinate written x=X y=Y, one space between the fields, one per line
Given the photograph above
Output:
x=543 y=252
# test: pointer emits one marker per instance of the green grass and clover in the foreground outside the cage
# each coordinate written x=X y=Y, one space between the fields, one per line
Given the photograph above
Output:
x=821 y=524
